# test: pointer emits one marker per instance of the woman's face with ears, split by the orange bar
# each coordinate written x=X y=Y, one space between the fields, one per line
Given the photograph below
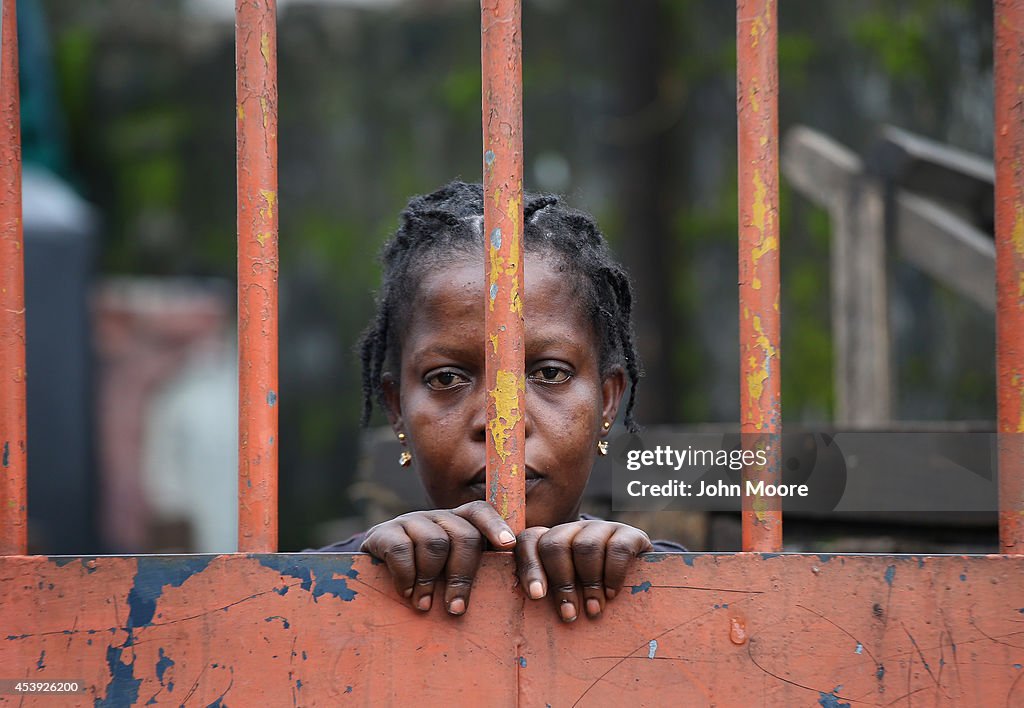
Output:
x=439 y=400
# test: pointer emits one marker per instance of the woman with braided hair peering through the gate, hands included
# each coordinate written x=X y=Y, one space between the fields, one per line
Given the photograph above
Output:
x=423 y=361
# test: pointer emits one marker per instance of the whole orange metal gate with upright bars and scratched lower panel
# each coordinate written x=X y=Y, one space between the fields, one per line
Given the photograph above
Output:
x=693 y=630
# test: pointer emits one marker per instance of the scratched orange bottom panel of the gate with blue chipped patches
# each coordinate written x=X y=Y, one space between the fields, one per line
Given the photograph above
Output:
x=689 y=630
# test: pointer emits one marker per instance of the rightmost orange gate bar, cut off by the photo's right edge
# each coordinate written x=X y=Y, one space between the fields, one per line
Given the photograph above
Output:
x=1009 y=65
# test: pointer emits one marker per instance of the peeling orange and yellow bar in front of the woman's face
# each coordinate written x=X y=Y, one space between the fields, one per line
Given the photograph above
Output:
x=501 y=53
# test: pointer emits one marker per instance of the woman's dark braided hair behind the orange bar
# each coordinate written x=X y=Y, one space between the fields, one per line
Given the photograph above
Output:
x=452 y=220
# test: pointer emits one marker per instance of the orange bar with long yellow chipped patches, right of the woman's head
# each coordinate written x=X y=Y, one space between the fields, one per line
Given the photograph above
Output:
x=757 y=110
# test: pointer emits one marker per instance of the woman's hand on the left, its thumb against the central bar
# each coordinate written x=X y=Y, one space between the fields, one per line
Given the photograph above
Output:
x=422 y=548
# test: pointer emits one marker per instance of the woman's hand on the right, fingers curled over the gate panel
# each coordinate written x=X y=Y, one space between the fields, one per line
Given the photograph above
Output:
x=581 y=565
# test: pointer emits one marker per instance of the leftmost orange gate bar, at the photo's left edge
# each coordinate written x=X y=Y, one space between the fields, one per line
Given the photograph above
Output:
x=14 y=481
